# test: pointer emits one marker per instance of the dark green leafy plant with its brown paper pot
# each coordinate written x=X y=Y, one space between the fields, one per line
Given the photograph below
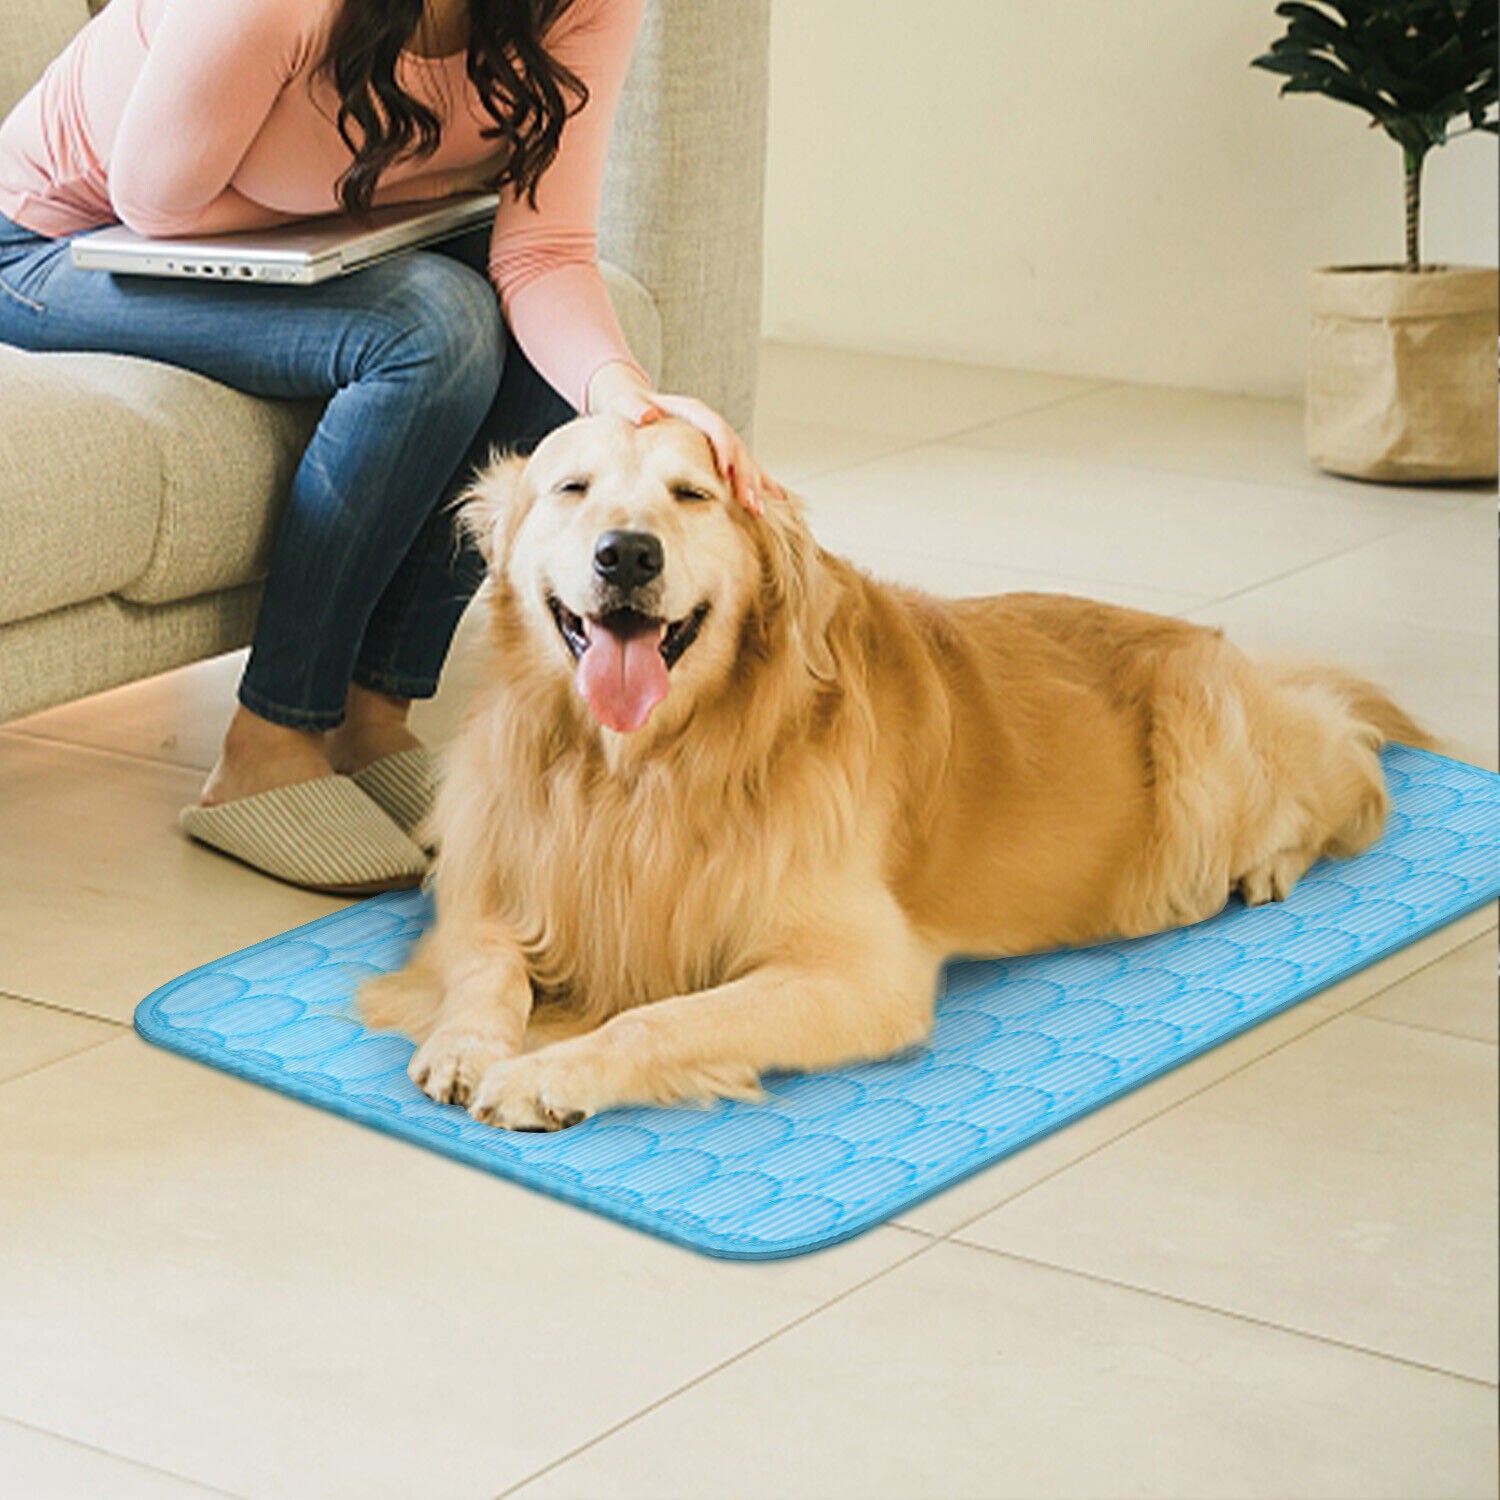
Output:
x=1402 y=374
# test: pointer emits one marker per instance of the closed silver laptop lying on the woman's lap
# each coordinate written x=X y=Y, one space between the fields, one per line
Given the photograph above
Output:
x=296 y=254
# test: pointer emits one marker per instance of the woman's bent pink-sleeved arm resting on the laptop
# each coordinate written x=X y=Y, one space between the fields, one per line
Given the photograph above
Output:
x=214 y=71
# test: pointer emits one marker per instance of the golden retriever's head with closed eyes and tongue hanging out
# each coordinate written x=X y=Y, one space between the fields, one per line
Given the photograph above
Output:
x=632 y=569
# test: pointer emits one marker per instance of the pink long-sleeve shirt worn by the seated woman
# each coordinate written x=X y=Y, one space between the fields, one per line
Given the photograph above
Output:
x=199 y=116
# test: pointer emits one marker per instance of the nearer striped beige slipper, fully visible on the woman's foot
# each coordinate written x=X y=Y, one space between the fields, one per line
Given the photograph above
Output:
x=325 y=835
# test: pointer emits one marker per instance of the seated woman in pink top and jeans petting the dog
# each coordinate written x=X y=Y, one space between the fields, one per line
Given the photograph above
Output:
x=209 y=116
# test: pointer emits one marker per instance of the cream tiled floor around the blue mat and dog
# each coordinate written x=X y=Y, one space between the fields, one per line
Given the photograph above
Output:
x=1270 y=1274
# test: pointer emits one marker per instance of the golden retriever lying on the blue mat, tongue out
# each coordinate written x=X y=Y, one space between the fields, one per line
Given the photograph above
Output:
x=724 y=805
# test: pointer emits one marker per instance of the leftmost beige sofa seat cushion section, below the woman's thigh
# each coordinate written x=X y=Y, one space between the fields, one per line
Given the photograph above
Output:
x=82 y=488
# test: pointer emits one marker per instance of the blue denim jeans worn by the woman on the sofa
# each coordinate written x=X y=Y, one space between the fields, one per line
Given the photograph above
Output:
x=370 y=575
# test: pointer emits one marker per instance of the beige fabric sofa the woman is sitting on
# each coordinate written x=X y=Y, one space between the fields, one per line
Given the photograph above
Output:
x=137 y=502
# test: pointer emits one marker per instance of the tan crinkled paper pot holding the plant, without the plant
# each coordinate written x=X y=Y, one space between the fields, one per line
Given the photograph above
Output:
x=1402 y=373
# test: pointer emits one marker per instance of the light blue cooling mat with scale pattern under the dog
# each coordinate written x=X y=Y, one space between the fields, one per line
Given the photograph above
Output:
x=1022 y=1046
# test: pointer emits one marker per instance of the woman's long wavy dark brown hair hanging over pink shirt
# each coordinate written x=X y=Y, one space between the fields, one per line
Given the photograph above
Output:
x=523 y=89
